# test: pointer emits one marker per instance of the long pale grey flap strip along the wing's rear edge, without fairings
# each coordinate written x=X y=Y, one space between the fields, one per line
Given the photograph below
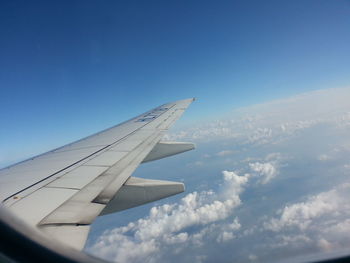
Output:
x=88 y=203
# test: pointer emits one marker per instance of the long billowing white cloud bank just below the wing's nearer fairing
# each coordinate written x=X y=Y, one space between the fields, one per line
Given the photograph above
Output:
x=168 y=225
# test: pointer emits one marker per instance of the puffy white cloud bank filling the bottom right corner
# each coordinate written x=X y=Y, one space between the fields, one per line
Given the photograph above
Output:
x=319 y=224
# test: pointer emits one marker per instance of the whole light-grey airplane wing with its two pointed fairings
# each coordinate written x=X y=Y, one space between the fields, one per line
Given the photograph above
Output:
x=61 y=192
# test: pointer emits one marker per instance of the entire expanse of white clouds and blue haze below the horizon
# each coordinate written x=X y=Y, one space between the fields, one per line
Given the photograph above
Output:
x=283 y=191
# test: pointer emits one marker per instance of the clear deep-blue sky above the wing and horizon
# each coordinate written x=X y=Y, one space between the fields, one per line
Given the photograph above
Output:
x=71 y=68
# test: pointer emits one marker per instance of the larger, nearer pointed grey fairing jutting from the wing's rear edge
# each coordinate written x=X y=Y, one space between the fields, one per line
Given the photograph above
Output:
x=139 y=191
